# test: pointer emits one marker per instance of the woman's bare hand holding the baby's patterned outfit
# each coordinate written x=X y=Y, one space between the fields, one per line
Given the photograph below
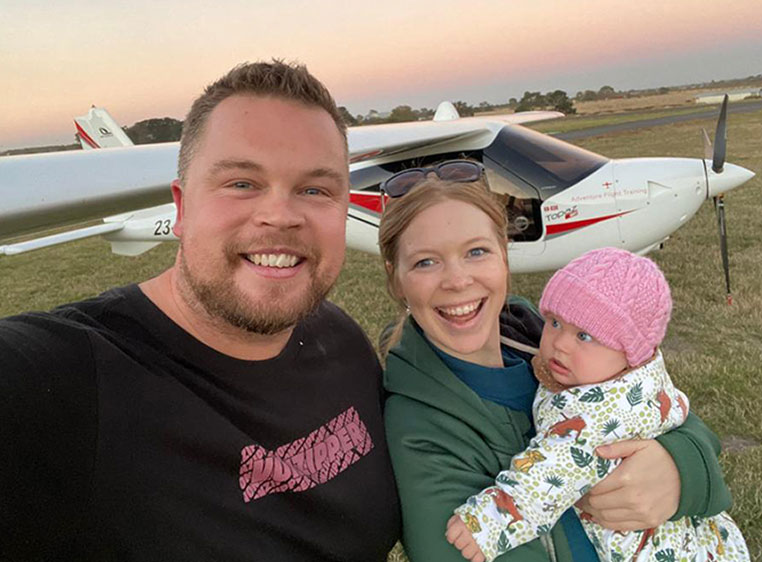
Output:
x=641 y=493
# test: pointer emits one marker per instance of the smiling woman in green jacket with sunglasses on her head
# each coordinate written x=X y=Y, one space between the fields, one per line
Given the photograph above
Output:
x=461 y=387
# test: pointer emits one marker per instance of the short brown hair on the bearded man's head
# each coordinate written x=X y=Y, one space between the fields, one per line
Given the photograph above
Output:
x=278 y=79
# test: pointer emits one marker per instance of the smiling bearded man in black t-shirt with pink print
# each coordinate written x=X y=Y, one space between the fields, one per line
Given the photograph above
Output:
x=222 y=410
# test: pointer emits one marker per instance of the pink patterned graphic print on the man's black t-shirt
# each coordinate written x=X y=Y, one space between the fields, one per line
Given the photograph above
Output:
x=306 y=462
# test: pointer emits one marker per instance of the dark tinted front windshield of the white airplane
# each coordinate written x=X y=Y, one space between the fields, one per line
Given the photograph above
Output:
x=549 y=165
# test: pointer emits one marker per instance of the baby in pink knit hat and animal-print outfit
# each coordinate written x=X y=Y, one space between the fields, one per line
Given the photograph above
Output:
x=602 y=379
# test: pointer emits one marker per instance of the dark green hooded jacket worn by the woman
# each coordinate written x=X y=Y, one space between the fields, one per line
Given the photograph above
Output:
x=447 y=444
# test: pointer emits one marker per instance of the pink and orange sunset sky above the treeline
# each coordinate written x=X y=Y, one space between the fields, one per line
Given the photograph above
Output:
x=143 y=59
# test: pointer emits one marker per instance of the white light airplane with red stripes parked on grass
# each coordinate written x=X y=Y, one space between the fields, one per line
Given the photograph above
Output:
x=561 y=200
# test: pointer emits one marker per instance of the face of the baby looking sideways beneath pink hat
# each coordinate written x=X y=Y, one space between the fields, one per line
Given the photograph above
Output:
x=575 y=358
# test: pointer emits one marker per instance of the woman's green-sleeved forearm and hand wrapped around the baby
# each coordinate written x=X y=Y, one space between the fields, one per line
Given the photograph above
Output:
x=677 y=474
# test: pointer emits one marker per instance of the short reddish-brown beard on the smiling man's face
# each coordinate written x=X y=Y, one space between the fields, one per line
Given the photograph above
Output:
x=268 y=315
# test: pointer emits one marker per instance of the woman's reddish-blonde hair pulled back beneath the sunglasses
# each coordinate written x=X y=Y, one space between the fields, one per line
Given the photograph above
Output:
x=401 y=211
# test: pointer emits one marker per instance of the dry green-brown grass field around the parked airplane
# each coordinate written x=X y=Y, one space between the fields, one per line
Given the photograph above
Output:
x=713 y=351
